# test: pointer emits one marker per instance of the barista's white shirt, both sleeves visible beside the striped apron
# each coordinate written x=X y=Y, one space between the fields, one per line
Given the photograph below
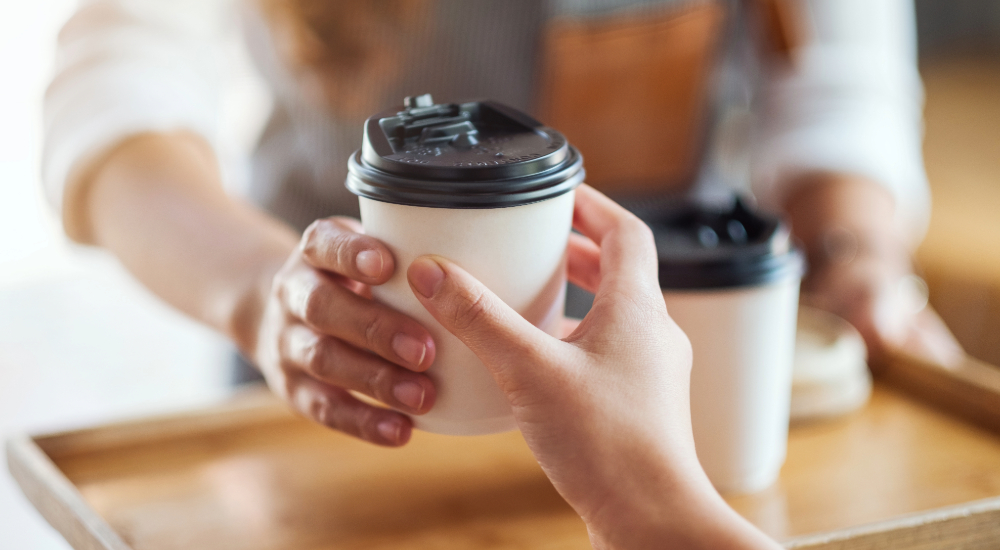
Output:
x=851 y=101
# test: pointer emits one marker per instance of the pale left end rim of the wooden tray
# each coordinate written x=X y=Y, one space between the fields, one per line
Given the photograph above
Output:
x=57 y=499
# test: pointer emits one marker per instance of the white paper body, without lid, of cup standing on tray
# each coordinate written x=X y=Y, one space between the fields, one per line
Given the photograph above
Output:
x=743 y=342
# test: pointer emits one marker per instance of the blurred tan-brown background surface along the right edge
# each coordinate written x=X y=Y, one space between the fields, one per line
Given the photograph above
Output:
x=961 y=253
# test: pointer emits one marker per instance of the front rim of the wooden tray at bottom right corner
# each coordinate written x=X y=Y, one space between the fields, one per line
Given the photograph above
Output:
x=972 y=525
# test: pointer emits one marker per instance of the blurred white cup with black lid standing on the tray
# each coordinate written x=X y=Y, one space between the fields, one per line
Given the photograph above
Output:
x=730 y=280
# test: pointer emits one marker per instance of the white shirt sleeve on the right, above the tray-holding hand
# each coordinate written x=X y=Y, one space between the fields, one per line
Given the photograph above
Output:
x=851 y=102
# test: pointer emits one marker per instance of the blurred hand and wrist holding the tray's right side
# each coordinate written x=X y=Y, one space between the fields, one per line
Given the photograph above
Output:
x=860 y=267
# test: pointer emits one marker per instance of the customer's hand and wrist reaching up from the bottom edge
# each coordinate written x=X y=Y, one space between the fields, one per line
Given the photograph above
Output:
x=606 y=410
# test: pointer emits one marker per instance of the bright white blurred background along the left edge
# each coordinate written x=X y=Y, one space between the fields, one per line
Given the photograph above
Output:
x=80 y=342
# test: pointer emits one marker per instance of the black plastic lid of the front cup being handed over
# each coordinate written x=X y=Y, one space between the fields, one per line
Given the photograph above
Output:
x=479 y=154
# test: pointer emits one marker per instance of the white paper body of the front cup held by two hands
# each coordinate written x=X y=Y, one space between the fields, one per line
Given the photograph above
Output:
x=517 y=252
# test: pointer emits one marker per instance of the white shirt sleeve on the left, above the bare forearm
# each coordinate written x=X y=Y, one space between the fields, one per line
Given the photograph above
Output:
x=126 y=67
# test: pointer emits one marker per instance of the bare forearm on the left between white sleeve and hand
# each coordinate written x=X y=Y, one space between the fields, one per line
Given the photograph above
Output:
x=157 y=203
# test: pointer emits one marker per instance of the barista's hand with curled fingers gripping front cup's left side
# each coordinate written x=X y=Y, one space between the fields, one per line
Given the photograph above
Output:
x=321 y=335
